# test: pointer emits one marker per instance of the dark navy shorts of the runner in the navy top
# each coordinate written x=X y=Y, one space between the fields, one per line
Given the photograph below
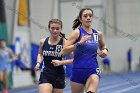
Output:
x=57 y=81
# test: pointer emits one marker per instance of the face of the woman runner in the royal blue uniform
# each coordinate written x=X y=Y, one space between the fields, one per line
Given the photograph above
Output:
x=87 y=18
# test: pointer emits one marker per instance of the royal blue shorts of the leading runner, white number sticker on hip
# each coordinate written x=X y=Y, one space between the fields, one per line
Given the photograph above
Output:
x=80 y=75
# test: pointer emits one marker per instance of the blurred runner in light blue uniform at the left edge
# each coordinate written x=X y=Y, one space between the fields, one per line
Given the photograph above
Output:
x=6 y=57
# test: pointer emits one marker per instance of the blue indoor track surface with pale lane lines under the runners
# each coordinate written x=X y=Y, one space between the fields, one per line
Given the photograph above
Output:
x=112 y=83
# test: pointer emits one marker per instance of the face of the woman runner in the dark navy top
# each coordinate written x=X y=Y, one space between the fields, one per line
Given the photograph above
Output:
x=55 y=29
